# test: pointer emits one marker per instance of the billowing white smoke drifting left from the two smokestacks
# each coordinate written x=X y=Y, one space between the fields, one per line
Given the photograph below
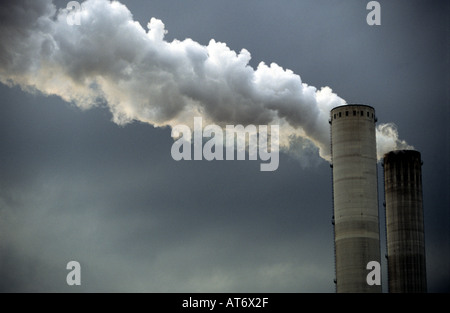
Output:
x=109 y=59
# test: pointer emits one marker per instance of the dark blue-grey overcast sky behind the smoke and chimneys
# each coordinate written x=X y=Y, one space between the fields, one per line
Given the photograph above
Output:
x=76 y=186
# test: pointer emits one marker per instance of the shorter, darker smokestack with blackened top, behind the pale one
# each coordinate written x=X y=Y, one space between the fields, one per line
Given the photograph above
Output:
x=404 y=221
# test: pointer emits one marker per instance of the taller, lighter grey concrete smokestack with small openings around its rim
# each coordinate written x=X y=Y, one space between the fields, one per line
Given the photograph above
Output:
x=355 y=196
